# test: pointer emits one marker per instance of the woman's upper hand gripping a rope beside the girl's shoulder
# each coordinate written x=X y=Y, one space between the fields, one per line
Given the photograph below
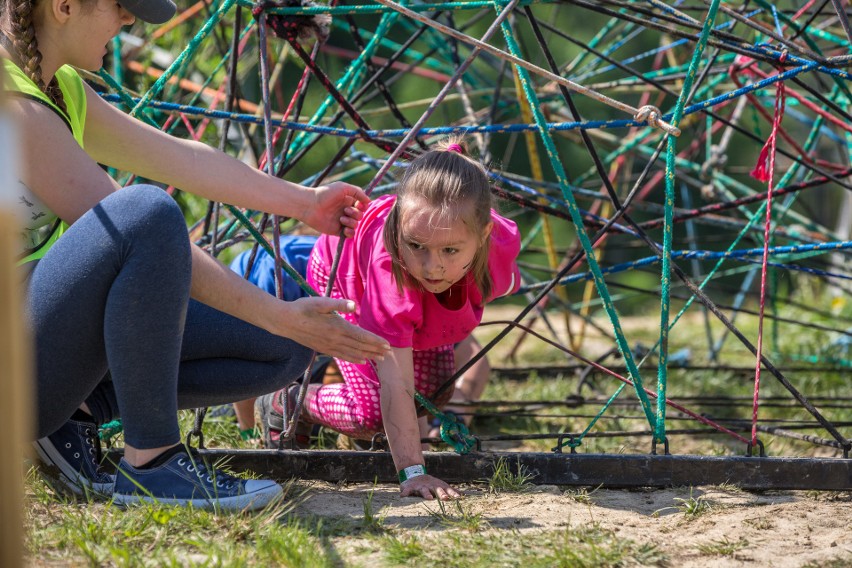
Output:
x=336 y=206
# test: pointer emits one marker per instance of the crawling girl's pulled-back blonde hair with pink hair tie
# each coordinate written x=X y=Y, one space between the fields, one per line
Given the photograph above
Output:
x=453 y=185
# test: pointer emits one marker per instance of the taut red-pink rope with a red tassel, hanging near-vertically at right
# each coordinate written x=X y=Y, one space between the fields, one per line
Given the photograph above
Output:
x=764 y=171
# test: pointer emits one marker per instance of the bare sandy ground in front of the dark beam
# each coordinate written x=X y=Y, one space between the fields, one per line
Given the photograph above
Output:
x=781 y=529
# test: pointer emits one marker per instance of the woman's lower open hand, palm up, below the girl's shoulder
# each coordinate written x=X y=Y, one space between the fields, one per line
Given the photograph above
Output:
x=314 y=323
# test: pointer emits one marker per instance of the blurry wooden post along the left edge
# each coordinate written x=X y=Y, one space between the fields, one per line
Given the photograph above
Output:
x=15 y=367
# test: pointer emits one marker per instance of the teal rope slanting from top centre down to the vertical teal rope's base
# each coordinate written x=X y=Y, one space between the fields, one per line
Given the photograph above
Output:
x=577 y=220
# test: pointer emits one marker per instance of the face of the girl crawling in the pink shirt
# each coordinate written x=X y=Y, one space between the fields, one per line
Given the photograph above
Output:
x=436 y=251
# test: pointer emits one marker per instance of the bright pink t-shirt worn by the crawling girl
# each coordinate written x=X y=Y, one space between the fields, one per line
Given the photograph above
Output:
x=413 y=318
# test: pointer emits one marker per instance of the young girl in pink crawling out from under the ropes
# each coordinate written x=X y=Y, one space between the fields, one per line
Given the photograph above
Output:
x=420 y=269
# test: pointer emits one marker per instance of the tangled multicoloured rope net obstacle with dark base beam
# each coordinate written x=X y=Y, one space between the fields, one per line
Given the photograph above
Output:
x=691 y=156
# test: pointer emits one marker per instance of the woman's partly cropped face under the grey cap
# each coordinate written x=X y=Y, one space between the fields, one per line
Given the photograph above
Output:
x=92 y=26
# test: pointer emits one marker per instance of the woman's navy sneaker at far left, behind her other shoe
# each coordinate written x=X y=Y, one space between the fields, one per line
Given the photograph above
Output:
x=72 y=456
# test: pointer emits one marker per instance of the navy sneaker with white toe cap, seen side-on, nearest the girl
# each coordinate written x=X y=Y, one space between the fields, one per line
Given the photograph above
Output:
x=185 y=479
